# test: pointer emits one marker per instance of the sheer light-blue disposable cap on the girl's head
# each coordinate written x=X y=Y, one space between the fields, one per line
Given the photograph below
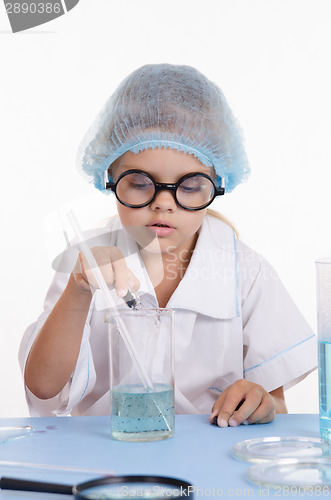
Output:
x=163 y=105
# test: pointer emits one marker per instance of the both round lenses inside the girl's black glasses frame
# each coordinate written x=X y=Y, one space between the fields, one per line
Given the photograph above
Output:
x=138 y=189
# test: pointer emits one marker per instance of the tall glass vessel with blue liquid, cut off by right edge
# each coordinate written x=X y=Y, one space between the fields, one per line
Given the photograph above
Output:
x=323 y=271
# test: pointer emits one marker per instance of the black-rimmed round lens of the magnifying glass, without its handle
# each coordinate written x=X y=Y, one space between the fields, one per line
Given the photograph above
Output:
x=133 y=487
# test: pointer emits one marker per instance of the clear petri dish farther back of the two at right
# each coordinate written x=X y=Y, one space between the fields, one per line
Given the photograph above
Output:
x=272 y=448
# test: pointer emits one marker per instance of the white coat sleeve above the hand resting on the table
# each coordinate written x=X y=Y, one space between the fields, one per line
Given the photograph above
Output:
x=280 y=348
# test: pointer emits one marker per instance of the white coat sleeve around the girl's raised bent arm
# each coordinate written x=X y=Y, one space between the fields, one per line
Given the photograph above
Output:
x=83 y=378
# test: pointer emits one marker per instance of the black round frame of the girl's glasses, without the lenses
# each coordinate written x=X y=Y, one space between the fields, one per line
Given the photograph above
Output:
x=161 y=186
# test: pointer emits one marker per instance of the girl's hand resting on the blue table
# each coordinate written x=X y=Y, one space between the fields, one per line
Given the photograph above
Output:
x=245 y=403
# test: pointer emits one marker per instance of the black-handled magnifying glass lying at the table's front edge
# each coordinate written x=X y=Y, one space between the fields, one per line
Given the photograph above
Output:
x=110 y=488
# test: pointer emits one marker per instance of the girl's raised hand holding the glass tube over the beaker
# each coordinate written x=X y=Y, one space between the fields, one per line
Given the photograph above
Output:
x=113 y=267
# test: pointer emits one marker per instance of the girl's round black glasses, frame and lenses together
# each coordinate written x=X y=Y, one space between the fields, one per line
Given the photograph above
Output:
x=137 y=189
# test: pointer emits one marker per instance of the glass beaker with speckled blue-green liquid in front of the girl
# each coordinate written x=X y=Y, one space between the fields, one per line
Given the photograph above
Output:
x=141 y=411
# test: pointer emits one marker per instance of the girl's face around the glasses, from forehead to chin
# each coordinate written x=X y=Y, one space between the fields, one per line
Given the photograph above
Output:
x=164 y=165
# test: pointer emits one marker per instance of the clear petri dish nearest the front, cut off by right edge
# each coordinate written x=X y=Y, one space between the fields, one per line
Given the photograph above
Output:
x=301 y=474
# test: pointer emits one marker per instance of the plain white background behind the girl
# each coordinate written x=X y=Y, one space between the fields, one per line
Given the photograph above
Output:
x=272 y=60
